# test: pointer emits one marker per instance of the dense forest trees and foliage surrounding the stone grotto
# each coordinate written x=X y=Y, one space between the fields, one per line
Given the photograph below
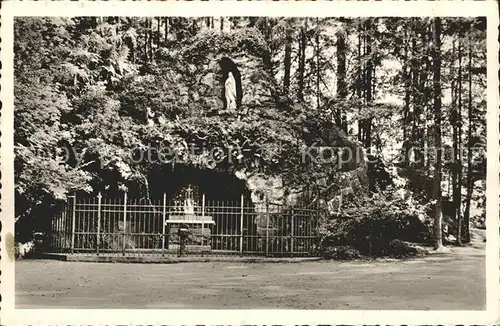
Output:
x=396 y=85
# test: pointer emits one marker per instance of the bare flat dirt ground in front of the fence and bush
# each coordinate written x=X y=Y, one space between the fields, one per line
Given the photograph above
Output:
x=455 y=280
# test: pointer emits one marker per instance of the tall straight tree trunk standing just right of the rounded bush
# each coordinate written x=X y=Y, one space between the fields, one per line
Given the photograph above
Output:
x=438 y=238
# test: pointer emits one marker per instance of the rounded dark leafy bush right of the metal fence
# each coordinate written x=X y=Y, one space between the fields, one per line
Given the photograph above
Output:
x=374 y=226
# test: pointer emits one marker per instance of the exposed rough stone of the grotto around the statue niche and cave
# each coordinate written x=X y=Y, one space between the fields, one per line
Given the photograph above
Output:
x=202 y=87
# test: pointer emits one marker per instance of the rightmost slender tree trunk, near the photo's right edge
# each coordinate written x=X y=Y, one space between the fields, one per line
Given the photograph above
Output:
x=469 y=183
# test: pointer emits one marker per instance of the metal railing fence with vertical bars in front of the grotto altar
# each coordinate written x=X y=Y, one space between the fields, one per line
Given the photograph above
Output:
x=128 y=226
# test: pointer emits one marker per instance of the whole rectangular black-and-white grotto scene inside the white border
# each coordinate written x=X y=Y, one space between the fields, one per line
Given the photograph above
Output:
x=250 y=162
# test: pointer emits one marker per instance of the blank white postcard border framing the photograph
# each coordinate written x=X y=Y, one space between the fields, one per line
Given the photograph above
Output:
x=11 y=9
